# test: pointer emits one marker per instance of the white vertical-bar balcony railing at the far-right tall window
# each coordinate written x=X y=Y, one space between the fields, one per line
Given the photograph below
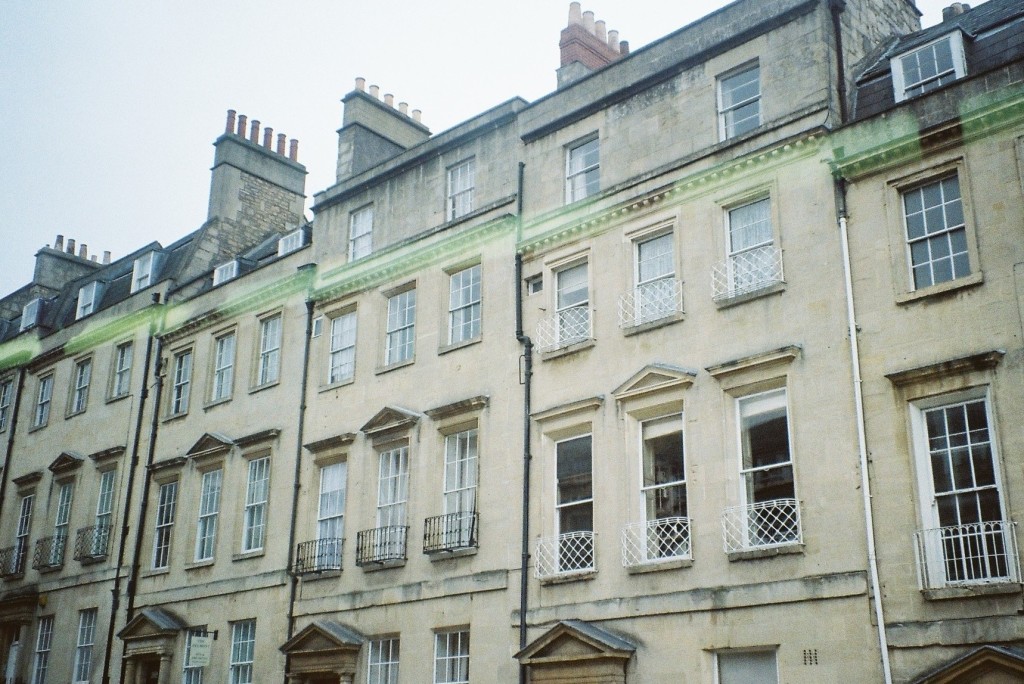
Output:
x=968 y=555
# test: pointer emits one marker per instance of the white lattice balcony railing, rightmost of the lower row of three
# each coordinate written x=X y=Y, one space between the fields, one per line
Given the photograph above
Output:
x=764 y=526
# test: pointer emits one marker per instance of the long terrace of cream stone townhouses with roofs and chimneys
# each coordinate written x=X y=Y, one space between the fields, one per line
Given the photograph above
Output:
x=703 y=368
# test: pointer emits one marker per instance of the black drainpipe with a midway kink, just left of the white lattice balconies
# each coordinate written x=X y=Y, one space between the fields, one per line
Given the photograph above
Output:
x=528 y=357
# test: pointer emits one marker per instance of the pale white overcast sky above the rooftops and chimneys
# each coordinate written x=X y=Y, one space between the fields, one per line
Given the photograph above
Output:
x=109 y=110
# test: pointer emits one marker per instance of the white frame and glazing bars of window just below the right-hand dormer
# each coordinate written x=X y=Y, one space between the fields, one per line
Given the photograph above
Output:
x=950 y=210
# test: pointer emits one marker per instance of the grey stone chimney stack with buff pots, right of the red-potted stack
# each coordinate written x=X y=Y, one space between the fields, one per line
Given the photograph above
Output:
x=374 y=132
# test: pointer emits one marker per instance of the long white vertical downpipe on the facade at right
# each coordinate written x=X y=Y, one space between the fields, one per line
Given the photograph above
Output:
x=859 y=400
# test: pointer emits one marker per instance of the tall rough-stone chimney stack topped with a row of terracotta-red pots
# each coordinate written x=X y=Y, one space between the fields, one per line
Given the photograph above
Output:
x=251 y=184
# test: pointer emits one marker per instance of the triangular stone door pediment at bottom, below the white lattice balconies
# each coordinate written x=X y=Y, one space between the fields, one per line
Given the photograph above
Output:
x=575 y=642
